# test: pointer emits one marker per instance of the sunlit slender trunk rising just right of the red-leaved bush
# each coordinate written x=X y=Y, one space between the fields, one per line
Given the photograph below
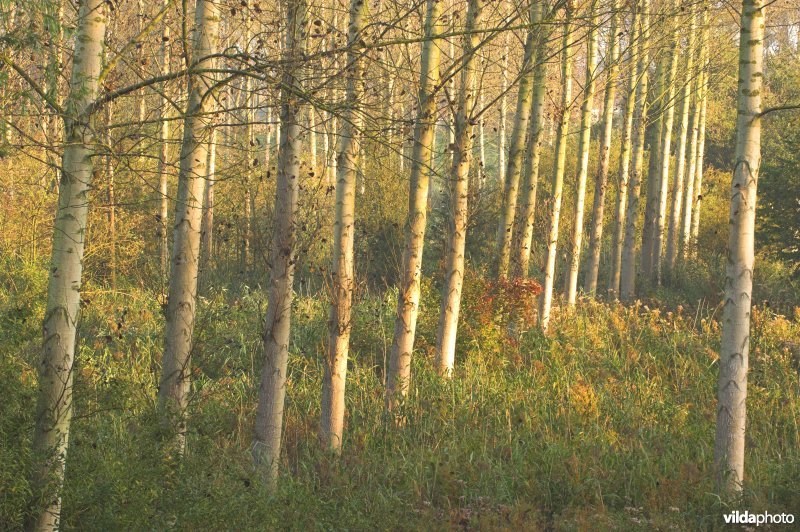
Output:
x=557 y=189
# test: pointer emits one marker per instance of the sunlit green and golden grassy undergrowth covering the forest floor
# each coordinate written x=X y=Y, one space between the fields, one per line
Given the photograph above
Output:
x=607 y=423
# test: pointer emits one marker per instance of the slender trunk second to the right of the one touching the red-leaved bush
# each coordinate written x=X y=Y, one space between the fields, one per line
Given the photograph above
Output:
x=601 y=178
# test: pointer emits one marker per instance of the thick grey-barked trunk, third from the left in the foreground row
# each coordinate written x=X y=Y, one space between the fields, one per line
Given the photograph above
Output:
x=272 y=393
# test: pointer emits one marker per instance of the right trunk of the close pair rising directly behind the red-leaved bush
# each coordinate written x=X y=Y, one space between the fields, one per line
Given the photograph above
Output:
x=523 y=235
